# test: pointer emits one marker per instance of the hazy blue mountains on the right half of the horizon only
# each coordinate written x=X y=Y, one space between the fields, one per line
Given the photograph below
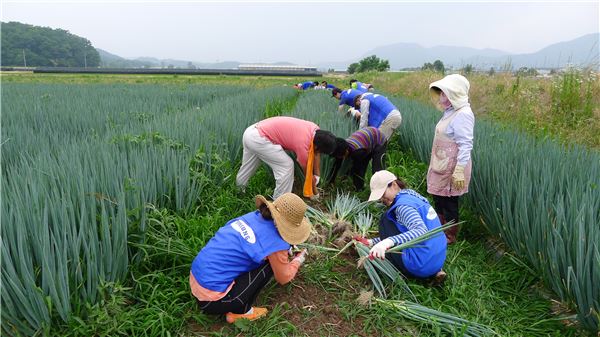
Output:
x=580 y=51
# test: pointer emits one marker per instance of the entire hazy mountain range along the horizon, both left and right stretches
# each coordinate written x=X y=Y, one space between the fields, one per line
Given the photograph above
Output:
x=582 y=51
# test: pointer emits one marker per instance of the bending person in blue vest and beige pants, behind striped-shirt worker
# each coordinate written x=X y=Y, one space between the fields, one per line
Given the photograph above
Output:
x=377 y=111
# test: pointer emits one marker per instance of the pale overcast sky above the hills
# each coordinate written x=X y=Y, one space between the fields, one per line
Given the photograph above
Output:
x=305 y=32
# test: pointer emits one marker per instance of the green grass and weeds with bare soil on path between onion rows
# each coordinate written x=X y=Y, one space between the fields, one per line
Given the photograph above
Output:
x=484 y=285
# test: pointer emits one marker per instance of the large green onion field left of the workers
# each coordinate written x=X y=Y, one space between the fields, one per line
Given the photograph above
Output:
x=74 y=195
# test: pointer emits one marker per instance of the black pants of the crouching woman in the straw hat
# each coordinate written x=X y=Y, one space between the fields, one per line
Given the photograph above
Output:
x=243 y=293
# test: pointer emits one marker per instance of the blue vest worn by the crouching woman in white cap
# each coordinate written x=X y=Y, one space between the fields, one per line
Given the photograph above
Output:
x=428 y=259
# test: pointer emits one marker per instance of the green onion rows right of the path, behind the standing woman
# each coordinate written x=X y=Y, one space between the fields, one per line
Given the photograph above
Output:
x=540 y=197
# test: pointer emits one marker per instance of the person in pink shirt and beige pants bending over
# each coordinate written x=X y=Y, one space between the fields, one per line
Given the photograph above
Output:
x=268 y=140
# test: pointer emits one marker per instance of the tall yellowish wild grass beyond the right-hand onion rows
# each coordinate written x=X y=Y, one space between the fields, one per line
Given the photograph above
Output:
x=565 y=107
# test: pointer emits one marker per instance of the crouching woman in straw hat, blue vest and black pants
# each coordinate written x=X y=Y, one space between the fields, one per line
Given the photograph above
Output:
x=230 y=271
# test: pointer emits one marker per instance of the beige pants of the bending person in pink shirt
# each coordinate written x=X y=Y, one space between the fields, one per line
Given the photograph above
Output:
x=258 y=148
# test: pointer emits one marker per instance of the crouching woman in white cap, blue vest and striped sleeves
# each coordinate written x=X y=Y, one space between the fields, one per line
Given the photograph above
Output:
x=409 y=216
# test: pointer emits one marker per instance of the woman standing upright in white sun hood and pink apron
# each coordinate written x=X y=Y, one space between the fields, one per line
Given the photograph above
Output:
x=450 y=166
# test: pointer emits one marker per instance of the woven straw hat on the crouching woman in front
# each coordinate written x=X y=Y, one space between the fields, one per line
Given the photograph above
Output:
x=288 y=213
